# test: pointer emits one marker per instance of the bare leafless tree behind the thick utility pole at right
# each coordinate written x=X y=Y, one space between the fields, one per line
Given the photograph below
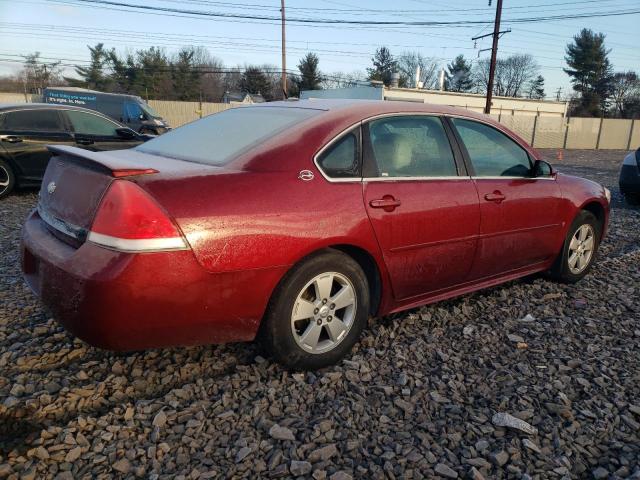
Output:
x=512 y=75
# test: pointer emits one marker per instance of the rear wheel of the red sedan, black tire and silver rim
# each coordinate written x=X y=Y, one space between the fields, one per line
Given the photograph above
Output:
x=317 y=312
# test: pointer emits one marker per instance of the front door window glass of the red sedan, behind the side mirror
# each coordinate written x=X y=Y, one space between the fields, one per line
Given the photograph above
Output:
x=491 y=152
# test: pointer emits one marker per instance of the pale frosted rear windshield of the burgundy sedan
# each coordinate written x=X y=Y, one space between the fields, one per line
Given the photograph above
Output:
x=217 y=139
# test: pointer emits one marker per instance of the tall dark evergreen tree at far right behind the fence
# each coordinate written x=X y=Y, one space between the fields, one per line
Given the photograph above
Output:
x=590 y=71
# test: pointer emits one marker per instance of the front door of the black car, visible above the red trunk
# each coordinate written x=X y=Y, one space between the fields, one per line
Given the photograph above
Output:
x=96 y=132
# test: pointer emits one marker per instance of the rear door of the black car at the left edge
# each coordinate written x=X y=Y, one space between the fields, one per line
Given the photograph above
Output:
x=25 y=134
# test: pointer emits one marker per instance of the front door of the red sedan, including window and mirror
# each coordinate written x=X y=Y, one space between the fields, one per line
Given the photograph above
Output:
x=520 y=214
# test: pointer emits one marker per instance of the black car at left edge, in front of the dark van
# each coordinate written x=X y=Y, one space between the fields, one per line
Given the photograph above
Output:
x=26 y=130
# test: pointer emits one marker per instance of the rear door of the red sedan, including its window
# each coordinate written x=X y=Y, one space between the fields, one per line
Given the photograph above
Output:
x=421 y=203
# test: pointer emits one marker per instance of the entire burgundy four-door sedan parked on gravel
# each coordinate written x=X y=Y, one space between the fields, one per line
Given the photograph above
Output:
x=294 y=222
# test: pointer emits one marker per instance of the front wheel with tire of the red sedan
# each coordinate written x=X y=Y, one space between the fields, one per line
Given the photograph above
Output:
x=579 y=249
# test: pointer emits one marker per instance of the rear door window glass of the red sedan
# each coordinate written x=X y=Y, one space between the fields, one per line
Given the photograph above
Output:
x=411 y=146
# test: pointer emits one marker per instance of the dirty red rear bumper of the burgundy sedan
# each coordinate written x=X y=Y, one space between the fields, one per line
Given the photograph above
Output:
x=125 y=301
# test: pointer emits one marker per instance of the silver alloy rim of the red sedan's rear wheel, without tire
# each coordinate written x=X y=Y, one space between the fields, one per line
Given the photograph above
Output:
x=324 y=312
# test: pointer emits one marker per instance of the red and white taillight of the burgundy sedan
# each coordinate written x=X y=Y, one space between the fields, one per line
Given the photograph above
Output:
x=129 y=219
